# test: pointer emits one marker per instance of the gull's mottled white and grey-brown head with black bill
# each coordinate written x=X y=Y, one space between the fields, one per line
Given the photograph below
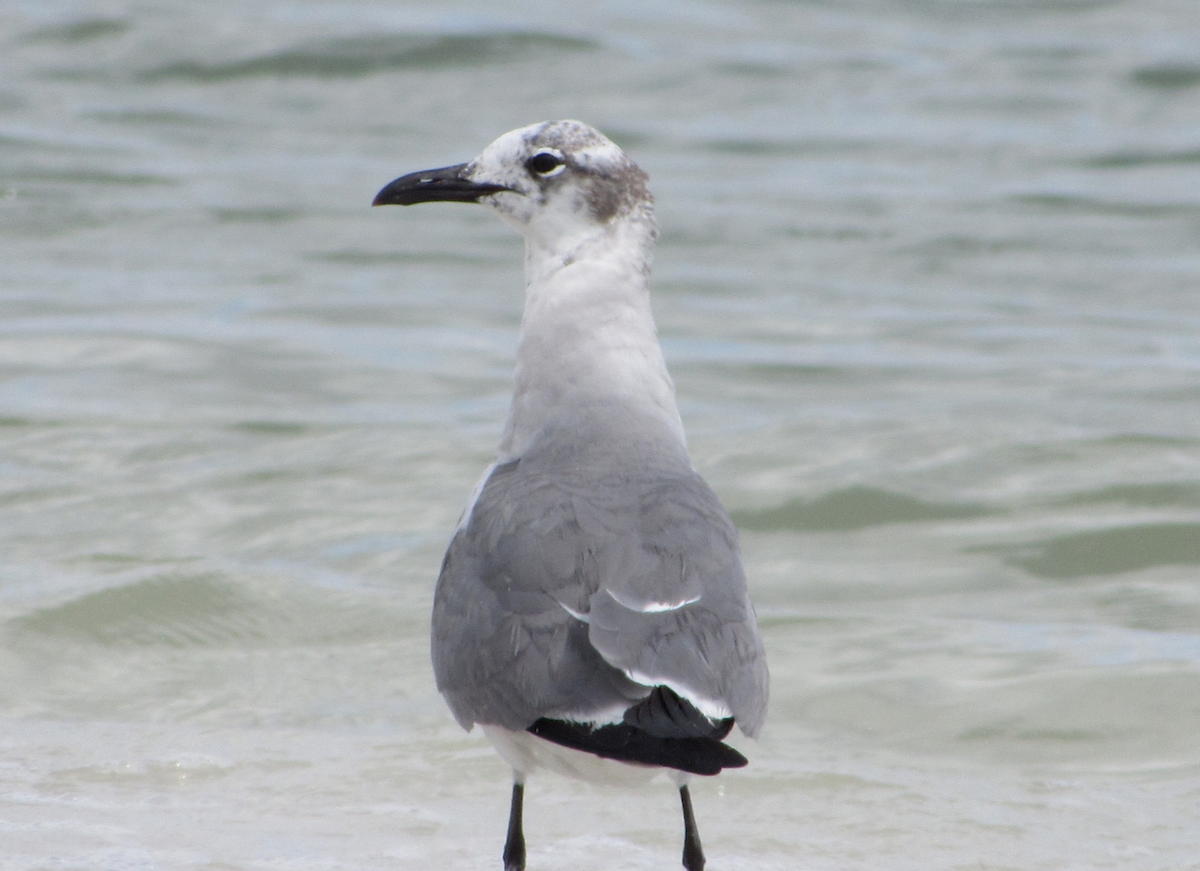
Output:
x=557 y=183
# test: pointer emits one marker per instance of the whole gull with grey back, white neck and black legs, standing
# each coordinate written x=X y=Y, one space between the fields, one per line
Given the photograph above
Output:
x=592 y=615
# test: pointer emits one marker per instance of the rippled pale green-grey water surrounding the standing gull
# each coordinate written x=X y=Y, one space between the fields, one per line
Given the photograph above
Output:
x=928 y=285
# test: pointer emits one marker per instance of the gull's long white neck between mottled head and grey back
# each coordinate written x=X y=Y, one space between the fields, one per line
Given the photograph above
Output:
x=591 y=380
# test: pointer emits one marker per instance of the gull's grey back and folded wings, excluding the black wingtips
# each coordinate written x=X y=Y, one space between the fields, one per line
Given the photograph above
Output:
x=568 y=596
